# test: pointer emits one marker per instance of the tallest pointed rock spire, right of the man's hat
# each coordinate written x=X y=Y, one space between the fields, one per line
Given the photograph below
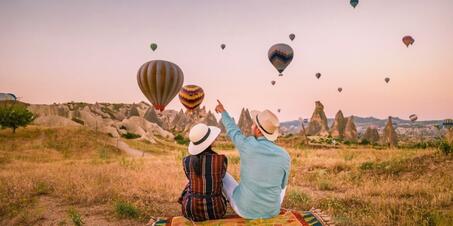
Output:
x=318 y=122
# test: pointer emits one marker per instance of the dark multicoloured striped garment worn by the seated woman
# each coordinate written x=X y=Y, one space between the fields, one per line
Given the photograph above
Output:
x=202 y=199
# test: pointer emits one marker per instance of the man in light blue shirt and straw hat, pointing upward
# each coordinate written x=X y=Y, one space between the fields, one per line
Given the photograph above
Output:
x=264 y=169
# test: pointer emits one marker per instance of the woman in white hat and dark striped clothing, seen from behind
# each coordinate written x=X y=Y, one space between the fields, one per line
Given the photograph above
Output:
x=202 y=199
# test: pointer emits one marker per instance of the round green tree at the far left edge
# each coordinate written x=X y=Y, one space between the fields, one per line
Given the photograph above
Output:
x=15 y=116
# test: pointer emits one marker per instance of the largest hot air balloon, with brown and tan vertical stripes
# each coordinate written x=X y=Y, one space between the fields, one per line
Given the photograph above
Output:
x=160 y=81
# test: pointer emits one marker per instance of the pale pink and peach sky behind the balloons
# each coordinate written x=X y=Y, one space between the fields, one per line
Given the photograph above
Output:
x=90 y=51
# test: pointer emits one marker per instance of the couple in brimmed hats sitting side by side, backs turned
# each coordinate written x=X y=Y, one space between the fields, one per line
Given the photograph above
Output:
x=264 y=171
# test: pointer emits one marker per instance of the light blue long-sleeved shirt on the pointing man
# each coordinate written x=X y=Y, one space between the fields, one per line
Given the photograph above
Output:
x=265 y=169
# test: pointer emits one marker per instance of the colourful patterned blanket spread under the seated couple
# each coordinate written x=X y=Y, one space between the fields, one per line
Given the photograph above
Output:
x=313 y=217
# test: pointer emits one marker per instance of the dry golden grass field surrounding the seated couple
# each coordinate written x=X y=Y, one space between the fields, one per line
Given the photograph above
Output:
x=74 y=176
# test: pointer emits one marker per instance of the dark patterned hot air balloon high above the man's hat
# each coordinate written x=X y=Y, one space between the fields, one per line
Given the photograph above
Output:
x=280 y=55
